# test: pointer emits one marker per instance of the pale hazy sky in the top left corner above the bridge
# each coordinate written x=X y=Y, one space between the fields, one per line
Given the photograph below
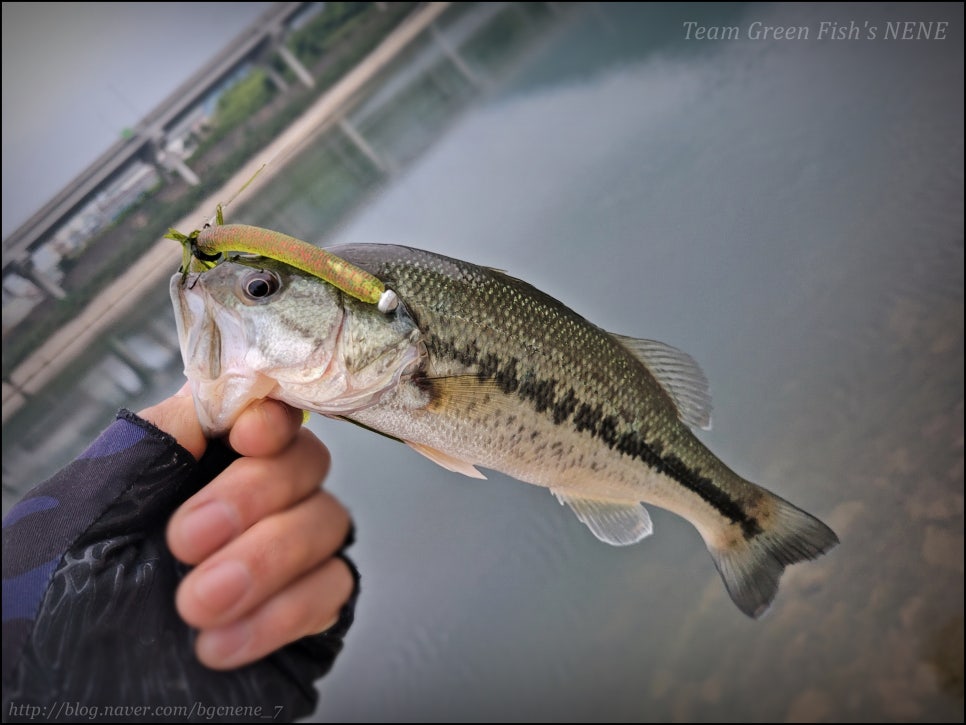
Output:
x=76 y=74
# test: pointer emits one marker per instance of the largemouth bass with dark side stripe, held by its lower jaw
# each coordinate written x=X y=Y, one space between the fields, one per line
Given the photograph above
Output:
x=474 y=368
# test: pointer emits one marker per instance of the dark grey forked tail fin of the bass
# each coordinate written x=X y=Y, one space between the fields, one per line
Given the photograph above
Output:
x=752 y=567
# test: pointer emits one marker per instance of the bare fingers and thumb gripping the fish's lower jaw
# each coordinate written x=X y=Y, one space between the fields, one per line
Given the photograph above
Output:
x=262 y=536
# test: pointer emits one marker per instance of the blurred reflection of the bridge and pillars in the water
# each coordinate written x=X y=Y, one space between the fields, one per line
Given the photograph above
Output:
x=399 y=115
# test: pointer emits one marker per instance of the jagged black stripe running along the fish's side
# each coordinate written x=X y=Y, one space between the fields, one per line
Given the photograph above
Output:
x=541 y=394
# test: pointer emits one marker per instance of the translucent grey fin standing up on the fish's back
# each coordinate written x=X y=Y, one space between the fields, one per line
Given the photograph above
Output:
x=678 y=374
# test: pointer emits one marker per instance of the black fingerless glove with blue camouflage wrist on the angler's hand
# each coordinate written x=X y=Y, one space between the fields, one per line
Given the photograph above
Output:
x=89 y=623
